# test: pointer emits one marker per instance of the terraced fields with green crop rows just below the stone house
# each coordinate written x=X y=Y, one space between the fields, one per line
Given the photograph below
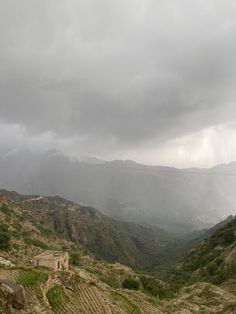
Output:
x=81 y=297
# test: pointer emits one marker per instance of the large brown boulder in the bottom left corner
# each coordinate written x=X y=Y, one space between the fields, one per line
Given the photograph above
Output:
x=12 y=294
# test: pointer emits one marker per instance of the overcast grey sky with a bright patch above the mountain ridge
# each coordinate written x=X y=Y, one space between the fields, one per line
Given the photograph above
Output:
x=149 y=80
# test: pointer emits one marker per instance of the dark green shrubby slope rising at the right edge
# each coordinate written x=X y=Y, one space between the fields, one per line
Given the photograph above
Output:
x=213 y=260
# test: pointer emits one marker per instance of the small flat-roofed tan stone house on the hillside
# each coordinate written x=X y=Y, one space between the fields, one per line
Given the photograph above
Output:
x=56 y=260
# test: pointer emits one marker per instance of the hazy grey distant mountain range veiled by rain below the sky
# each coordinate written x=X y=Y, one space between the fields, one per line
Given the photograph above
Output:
x=177 y=200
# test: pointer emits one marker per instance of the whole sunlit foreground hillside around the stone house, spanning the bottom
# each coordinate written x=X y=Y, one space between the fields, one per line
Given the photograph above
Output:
x=92 y=286
